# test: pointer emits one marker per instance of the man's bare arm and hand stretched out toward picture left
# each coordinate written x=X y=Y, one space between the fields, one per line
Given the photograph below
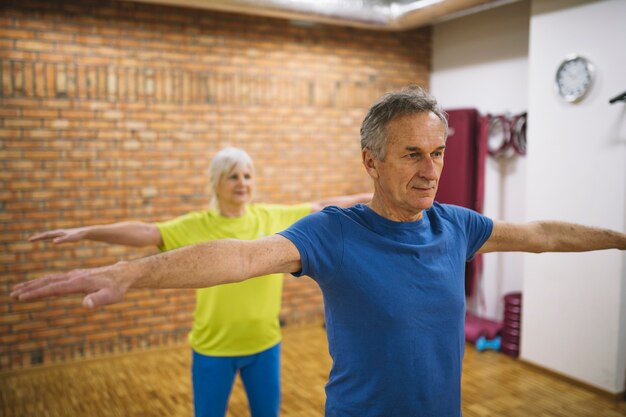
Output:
x=198 y=266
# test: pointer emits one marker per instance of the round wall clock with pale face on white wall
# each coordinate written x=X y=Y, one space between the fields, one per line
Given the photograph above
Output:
x=574 y=78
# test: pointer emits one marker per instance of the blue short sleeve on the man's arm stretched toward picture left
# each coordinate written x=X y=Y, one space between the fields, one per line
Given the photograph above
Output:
x=319 y=239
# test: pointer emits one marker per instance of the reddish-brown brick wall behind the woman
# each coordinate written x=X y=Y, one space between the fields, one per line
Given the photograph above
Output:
x=111 y=111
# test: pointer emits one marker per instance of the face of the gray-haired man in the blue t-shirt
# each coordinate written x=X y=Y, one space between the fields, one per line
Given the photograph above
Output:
x=407 y=180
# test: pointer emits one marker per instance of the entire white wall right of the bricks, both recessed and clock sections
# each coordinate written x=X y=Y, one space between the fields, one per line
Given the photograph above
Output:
x=504 y=59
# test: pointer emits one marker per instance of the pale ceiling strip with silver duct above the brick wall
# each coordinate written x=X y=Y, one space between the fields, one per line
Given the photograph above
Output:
x=368 y=14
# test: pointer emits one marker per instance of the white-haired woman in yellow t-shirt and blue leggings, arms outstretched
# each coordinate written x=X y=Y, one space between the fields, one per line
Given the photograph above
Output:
x=235 y=326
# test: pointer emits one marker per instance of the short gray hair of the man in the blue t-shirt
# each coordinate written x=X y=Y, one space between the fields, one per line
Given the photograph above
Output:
x=409 y=100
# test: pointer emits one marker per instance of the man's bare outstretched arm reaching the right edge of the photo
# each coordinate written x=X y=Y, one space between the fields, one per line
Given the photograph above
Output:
x=551 y=236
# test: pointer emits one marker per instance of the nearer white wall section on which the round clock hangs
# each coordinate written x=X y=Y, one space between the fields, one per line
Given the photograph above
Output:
x=573 y=311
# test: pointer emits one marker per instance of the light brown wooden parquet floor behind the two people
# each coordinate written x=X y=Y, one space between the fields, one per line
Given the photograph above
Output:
x=156 y=383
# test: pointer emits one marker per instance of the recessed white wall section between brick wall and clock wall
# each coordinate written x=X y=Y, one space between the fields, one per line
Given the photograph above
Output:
x=481 y=61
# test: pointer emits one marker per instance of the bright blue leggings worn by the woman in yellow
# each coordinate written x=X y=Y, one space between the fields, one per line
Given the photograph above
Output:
x=213 y=378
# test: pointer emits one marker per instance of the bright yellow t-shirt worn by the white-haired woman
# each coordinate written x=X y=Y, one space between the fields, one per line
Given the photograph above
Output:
x=240 y=318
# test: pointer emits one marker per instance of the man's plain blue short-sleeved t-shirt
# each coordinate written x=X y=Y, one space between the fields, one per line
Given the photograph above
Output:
x=395 y=306
